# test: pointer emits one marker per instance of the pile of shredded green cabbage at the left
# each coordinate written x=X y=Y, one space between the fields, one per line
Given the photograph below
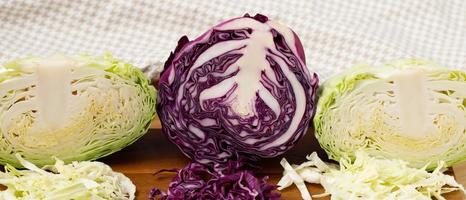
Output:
x=77 y=180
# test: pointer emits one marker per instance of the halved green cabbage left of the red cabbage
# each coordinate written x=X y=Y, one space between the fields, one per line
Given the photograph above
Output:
x=72 y=108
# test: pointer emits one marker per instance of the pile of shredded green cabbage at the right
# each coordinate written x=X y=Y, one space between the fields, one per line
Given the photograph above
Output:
x=370 y=178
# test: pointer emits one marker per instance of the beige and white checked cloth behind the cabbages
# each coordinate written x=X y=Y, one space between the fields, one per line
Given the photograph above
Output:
x=335 y=34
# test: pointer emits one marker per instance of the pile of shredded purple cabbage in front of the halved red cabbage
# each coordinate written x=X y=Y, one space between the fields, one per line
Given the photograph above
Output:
x=196 y=181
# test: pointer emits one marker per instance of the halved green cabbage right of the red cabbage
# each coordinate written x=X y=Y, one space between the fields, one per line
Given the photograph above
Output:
x=411 y=110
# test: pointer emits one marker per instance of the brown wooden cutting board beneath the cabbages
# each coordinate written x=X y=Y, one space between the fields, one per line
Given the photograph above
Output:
x=154 y=152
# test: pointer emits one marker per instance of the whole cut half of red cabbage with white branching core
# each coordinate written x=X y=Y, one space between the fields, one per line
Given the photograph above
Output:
x=241 y=89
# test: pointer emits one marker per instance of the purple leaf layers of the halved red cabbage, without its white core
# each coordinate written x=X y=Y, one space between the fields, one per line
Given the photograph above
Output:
x=223 y=135
